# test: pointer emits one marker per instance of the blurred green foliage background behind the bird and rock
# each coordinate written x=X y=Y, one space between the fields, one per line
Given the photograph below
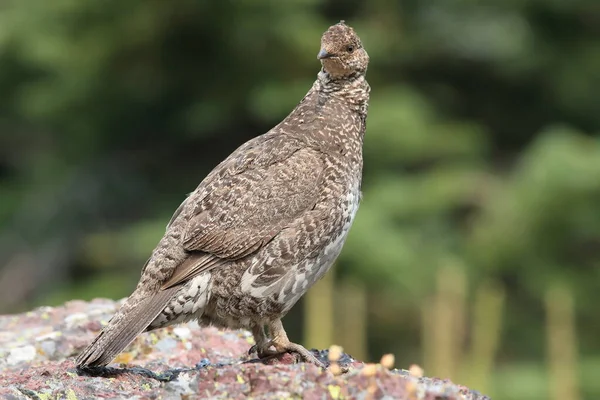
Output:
x=476 y=251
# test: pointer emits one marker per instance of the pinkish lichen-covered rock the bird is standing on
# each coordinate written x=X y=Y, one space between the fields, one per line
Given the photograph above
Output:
x=37 y=350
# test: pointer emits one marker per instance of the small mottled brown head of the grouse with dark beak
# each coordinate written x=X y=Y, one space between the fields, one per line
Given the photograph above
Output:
x=342 y=53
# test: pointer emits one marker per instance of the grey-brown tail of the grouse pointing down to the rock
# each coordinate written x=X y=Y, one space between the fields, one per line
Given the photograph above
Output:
x=132 y=318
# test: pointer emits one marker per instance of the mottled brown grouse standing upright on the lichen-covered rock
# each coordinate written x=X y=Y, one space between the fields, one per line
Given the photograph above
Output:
x=264 y=225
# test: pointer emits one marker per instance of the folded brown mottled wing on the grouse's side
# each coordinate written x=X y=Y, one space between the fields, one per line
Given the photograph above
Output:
x=246 y=201
